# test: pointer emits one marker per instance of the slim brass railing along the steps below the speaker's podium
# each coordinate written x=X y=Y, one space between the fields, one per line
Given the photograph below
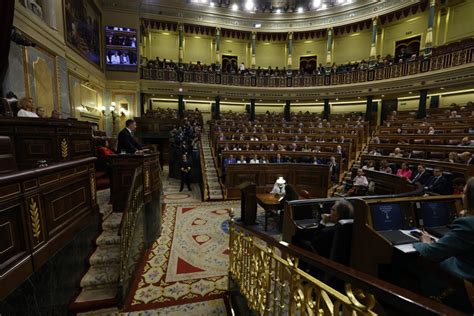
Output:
x=135 y=205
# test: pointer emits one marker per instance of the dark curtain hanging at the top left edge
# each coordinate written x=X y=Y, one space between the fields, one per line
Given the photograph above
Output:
x=7 y=7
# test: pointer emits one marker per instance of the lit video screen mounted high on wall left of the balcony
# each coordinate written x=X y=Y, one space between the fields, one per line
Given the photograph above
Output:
x=121 y=49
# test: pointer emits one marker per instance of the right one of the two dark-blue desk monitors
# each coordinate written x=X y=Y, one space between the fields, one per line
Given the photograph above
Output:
x=436 y=213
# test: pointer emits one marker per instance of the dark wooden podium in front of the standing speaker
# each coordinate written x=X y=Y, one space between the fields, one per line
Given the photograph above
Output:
x=123 y=168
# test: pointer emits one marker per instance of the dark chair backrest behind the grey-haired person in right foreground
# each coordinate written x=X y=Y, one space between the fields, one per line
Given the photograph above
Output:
x=342 y=242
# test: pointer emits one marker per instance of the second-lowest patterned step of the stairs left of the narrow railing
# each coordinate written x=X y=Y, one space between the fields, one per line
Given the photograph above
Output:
x=100 y=277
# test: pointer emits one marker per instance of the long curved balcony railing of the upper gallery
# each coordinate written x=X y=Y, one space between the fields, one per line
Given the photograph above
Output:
x=449 y=59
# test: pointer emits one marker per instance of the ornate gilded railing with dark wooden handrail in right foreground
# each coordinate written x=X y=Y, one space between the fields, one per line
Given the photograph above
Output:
x=268 y=276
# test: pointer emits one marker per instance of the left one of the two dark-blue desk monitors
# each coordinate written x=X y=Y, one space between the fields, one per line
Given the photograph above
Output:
x=386 y=216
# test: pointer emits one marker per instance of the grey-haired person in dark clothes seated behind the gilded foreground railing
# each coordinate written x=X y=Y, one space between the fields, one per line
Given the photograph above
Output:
x=321 y=242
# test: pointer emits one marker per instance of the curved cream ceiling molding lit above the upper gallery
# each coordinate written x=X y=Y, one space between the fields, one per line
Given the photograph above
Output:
x=183 y=12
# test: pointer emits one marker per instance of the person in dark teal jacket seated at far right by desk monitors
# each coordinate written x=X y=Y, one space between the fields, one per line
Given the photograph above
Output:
x=455 y=250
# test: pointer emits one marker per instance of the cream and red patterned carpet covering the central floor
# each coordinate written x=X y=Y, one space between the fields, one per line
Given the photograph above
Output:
x=188 y=263
